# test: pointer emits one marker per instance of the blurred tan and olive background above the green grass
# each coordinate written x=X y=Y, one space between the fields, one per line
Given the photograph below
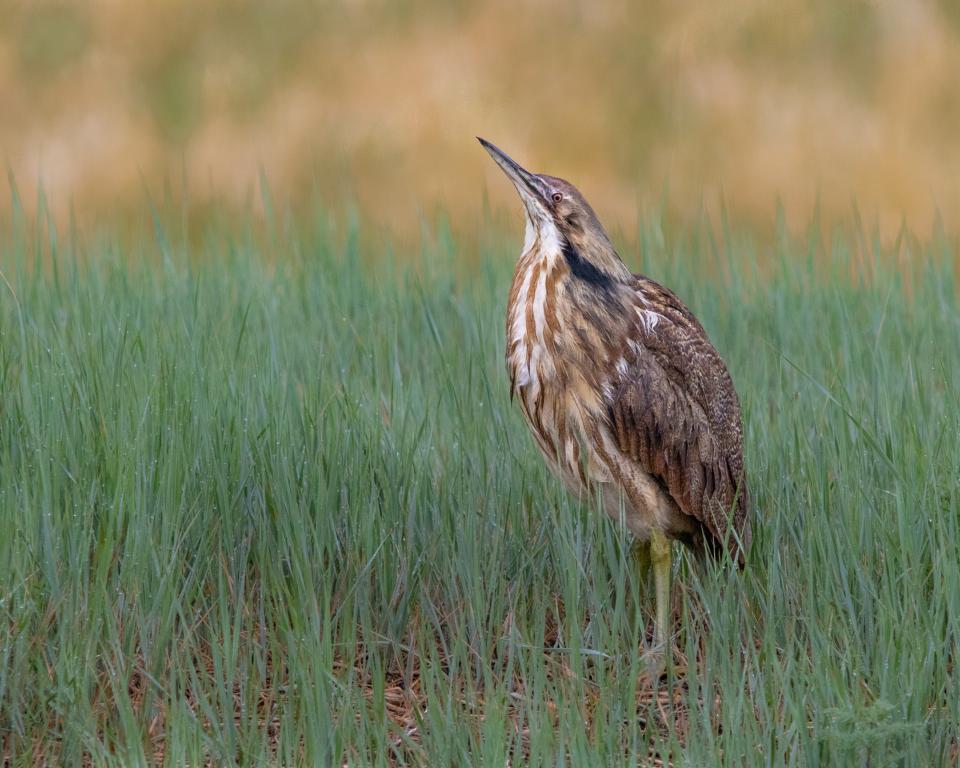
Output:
x=373 y=106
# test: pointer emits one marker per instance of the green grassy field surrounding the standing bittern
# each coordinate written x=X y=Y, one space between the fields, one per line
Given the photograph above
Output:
x=265 y=500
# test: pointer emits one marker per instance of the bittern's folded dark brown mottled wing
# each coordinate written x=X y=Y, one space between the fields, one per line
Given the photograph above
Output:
x=674 y=411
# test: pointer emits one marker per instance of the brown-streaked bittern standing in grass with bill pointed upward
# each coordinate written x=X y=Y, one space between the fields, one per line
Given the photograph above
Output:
x=621 y=387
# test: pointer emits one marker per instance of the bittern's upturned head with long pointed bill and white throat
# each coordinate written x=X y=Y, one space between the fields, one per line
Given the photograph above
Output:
x=559 y=216
